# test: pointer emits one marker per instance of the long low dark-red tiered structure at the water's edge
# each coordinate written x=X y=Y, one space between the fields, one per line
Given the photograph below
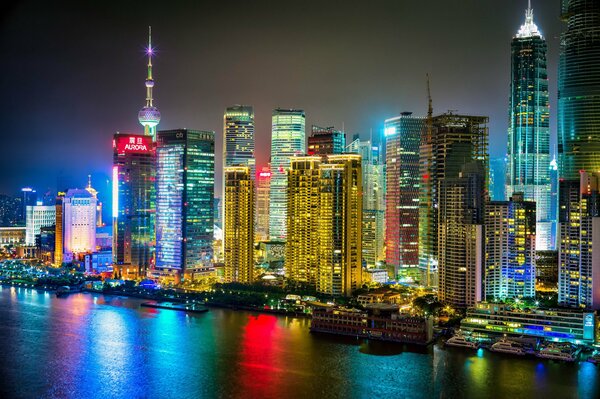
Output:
x=380 y=321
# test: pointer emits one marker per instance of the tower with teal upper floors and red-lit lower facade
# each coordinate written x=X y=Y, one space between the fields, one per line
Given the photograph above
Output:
x=403 y=139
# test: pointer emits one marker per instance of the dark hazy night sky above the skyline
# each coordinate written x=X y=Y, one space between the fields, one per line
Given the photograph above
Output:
x=72 y=73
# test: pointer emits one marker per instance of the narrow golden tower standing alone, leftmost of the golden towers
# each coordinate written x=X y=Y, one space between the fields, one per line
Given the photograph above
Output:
x=238 y=228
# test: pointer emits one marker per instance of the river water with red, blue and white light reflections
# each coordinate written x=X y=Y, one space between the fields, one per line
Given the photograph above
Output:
x=95 y=346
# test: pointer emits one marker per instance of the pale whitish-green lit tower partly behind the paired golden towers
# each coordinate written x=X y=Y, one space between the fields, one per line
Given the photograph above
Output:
x=288 y=138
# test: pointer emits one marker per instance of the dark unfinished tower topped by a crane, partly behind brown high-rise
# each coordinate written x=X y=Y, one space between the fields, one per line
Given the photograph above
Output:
x=450 y=142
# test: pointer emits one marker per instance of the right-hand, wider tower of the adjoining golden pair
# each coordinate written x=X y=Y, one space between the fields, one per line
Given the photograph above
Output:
x=340 y=224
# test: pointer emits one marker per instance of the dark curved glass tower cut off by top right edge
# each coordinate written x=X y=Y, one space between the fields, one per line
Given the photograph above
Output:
x=579 y=89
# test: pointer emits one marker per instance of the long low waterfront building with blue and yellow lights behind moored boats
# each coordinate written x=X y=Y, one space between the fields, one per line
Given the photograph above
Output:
x=564 y=325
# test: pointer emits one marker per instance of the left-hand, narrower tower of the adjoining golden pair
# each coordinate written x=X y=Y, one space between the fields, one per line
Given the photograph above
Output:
x=301 y=250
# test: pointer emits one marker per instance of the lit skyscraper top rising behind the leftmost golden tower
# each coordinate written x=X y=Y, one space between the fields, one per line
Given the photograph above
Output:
x=238 y=137
